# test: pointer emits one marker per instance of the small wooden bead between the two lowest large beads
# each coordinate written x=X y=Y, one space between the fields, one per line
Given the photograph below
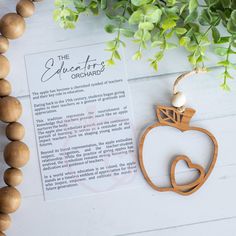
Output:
x=13 y=177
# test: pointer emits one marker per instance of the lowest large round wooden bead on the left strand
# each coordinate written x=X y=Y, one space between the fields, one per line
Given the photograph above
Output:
x=10 y=199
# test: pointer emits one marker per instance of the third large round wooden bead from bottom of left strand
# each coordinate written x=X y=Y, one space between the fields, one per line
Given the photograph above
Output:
x=10 y=109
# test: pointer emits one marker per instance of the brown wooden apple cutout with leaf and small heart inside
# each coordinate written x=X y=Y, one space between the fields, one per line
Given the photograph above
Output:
x=171 y=116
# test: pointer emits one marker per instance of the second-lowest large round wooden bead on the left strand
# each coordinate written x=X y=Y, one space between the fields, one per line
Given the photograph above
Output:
x=16 y=154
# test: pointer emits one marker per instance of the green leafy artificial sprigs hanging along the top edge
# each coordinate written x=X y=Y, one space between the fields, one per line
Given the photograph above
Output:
x=162 y=25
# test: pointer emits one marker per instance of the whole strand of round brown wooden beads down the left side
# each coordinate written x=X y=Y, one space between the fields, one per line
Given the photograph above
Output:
x=16 y=153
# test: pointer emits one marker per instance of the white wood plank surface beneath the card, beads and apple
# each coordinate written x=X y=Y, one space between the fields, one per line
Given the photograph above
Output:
x=139 y=211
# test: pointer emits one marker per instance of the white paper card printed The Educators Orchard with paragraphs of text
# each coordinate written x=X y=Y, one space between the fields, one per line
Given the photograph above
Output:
x=83 y=121
